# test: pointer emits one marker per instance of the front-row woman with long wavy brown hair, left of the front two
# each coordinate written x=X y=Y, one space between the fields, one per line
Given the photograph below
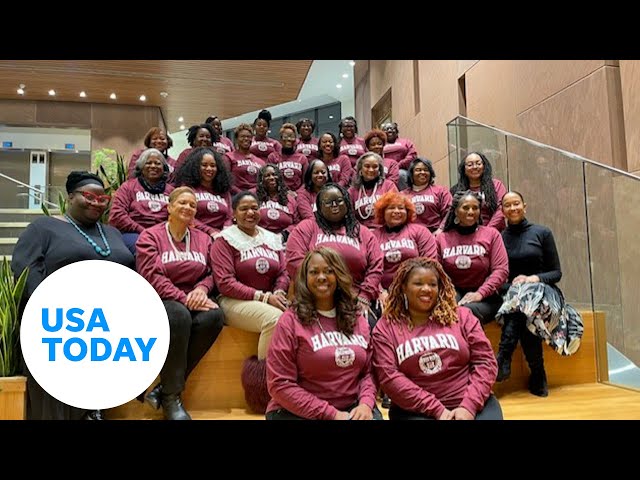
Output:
x=319 y=362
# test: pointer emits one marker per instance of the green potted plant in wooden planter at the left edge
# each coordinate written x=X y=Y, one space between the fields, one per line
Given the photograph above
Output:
x=12 y=387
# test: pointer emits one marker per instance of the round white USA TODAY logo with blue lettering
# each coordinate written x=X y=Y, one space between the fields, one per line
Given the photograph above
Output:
x=94 y=334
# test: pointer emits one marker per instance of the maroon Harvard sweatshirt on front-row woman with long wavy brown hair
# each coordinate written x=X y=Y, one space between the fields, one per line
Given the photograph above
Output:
x=314 y=371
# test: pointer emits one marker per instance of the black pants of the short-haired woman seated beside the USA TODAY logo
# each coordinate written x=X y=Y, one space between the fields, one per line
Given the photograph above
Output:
x=192 y=334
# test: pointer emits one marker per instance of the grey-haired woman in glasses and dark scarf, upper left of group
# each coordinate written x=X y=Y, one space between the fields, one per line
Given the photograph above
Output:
x=141 y=202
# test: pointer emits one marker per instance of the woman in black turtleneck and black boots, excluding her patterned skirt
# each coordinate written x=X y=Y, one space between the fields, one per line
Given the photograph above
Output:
x=533 y=258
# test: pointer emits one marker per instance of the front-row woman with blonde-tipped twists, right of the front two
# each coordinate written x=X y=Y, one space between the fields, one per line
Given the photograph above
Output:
x=431 y=356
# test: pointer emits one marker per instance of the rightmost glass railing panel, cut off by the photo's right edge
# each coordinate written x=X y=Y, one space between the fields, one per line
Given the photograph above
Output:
x=613 y=219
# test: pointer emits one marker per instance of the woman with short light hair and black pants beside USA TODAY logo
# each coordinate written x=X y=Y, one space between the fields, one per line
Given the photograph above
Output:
x=175 y=259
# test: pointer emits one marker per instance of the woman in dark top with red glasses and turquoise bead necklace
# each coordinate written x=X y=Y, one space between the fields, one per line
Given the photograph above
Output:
x=50 y=243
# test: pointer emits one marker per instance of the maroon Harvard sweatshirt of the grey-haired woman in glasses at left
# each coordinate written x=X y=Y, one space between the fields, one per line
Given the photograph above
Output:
x=134 y=209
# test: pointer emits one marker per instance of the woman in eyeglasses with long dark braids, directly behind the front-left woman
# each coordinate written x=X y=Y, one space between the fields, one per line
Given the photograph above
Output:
x=335 y=226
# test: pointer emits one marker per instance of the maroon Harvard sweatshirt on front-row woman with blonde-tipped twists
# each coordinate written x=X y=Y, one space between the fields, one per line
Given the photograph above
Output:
x=434 y=367
